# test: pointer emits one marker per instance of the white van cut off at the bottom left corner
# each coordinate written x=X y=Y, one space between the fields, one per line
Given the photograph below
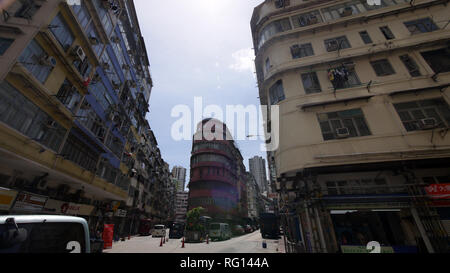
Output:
x=43 y=234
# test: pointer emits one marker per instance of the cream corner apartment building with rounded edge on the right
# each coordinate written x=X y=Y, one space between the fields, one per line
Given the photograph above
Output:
x=363 y=93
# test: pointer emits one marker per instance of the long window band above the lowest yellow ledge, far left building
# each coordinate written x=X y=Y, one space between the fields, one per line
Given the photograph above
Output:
x=21 y=114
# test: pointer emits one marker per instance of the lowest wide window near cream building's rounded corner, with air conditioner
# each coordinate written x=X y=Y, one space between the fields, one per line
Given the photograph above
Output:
x=343 y=124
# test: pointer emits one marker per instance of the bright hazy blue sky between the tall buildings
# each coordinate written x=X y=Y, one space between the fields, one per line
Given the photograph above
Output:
x=198 y=48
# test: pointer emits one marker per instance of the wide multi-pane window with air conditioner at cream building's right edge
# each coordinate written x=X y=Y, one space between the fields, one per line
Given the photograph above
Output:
x=419 y=115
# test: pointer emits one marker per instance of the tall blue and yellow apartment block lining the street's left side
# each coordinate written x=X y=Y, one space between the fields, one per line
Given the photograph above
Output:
x=74 y=91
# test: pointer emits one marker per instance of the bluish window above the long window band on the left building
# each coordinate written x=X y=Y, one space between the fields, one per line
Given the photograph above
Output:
x=32 y=58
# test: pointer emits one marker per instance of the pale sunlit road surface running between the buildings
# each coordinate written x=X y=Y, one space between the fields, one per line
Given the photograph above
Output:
x=248 y=243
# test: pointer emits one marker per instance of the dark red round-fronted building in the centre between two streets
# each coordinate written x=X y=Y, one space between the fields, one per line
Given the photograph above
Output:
x=218 y=177
